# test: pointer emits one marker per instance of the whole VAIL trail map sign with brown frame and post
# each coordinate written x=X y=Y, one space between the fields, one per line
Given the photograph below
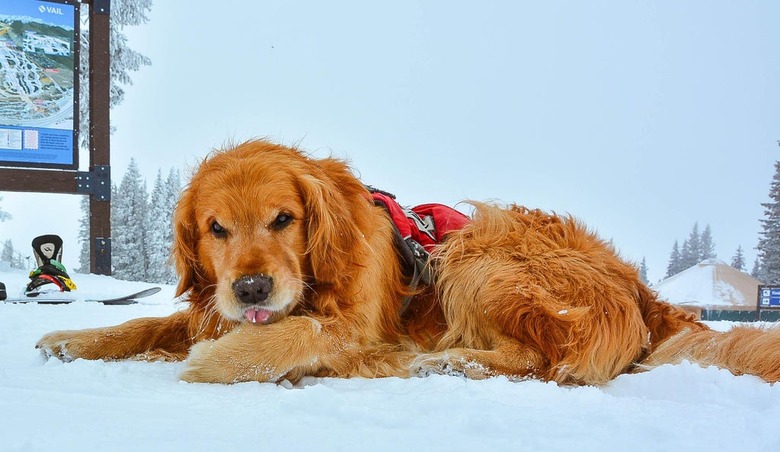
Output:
x=39 y=93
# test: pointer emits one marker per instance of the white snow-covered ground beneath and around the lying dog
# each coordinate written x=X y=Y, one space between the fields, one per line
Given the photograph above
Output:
x=115 y=406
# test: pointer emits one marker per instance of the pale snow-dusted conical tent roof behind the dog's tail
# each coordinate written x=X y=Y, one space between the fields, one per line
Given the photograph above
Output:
x=711 y=283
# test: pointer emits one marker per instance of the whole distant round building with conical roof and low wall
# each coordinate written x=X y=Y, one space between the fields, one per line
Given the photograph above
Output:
x=714 y=290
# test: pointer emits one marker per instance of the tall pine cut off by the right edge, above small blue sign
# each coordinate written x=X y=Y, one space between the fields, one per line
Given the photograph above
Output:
x=769 y=238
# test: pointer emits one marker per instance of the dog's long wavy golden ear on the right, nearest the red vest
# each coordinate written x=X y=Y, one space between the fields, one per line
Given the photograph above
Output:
x=333 y=200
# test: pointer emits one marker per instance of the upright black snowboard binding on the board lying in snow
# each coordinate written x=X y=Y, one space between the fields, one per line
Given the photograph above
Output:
x=48 y=253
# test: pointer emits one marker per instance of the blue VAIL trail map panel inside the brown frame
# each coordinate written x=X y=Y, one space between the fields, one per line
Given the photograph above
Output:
x=39 y=100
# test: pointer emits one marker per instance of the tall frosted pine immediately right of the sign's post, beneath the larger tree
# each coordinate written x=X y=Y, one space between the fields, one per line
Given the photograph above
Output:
x=129 y=223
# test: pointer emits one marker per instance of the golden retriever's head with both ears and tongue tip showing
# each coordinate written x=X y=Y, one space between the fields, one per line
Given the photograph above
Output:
x=259 y=224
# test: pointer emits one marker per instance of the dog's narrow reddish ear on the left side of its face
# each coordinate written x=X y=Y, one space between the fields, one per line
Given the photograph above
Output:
x=185 y=242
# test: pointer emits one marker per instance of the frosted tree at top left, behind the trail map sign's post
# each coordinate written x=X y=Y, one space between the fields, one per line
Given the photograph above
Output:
x=124 y=60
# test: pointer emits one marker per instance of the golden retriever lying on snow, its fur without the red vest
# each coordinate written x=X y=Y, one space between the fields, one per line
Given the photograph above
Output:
x=290 y=270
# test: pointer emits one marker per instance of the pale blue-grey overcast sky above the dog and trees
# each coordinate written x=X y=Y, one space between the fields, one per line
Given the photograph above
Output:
x=641 y=118
